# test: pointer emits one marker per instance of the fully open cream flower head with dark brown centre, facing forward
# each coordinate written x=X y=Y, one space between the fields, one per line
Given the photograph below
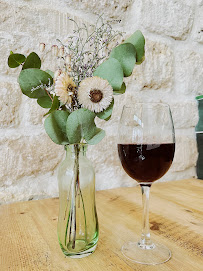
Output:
x=95 y=94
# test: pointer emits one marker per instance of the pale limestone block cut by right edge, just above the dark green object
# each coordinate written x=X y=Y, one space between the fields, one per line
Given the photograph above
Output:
x=188 y=70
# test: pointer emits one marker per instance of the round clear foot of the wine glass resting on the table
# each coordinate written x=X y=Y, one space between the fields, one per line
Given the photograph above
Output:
x=153 y=254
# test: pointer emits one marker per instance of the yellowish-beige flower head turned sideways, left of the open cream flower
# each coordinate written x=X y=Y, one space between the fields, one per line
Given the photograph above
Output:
x=65 y=88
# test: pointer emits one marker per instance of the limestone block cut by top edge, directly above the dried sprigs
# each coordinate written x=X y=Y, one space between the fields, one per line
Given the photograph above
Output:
x=109 y=8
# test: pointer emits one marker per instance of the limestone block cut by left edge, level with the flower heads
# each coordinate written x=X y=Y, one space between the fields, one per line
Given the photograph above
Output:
x=10 y=99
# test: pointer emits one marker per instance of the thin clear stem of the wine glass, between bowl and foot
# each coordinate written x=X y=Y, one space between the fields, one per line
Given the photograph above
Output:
x=145 y=241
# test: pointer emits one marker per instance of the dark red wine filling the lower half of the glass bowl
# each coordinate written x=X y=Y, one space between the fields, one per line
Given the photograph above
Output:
x=146 y=162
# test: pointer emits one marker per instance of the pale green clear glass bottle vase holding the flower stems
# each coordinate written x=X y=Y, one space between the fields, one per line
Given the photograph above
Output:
x=77 y=220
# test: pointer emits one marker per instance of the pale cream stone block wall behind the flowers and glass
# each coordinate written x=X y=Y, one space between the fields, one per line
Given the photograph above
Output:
x=172 y=73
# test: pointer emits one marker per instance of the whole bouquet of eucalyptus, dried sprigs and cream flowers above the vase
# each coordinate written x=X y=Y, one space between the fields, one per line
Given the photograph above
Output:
x=82 y=88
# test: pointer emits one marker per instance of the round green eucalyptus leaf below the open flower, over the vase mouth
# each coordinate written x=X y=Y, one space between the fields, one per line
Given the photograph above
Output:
x=81 y=125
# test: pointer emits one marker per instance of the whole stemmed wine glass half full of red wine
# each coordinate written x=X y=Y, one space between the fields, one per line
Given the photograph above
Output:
x=146 y=147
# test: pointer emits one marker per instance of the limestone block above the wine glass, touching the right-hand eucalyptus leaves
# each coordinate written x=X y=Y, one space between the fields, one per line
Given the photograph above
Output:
x=156 y=72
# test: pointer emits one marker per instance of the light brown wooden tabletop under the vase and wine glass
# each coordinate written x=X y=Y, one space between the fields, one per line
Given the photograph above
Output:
x=28 y=235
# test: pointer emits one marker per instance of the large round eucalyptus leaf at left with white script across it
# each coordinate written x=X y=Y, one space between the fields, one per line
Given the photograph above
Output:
x=31 y=82
